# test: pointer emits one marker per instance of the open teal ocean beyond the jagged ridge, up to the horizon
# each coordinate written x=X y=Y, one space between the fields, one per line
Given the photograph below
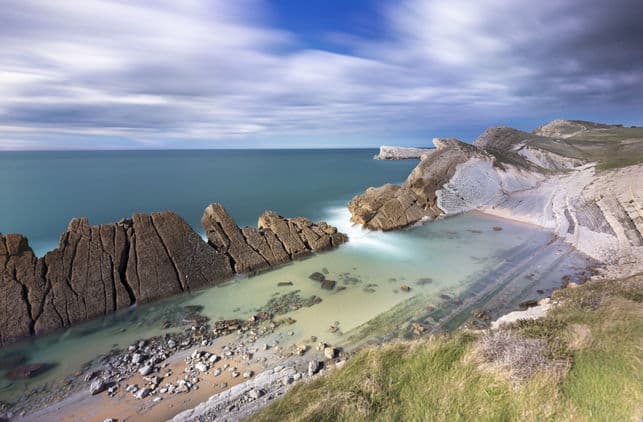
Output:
x=41 y=191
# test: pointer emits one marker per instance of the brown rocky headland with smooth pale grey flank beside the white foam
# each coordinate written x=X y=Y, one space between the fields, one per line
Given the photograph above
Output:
x=456 y=177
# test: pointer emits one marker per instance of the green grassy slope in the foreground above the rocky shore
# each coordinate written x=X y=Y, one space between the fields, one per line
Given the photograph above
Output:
x=594 y=346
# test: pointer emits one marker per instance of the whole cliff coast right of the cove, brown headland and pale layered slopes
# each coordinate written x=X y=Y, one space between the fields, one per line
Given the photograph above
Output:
x=533 y=178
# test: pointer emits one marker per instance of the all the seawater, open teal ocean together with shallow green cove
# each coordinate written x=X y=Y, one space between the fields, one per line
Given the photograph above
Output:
x=452 y=265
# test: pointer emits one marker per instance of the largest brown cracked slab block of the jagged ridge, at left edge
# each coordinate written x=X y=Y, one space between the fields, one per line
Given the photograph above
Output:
x=97 y=270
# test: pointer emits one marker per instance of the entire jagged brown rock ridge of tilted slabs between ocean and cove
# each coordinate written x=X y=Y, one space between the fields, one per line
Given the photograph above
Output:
x=97 y=270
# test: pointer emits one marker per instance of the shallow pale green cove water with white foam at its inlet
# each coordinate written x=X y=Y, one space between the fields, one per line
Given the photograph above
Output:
x=435 y=261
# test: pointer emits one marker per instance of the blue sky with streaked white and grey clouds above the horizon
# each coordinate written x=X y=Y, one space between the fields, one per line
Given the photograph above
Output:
x=163 y=74
